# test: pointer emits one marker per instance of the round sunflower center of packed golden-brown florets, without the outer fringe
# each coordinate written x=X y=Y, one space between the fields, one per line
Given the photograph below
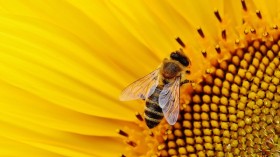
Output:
x=235 y=110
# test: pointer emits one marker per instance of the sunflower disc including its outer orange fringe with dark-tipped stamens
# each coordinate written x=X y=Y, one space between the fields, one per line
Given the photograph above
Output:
x=233 y=108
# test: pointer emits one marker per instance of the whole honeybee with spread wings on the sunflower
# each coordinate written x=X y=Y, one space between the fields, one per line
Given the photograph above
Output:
x=160 y=89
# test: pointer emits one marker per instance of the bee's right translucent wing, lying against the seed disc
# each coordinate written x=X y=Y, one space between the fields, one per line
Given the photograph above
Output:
x=169 y=101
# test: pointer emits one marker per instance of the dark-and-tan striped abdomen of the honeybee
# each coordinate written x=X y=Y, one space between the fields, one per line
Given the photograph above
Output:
x=153 y=112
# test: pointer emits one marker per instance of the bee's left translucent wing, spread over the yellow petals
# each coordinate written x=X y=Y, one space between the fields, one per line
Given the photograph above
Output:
x=142 y=88
